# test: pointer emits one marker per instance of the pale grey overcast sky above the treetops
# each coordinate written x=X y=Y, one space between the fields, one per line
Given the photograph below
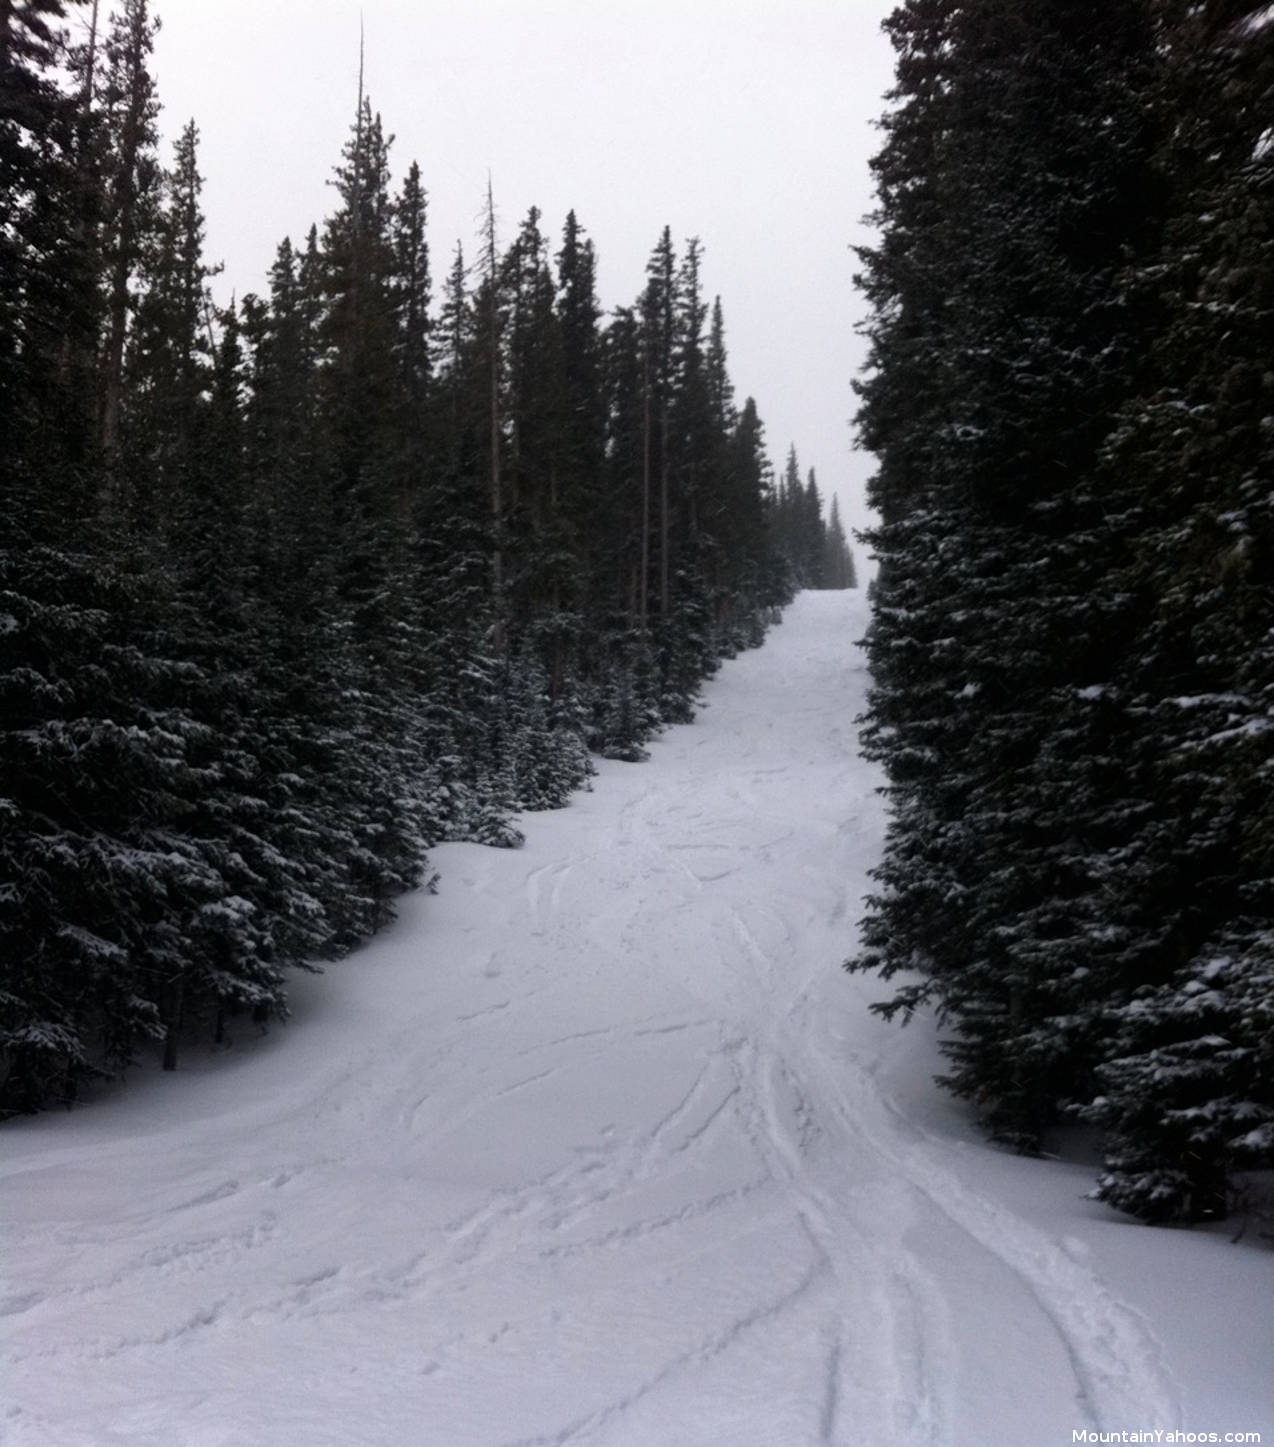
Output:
x=743 y=122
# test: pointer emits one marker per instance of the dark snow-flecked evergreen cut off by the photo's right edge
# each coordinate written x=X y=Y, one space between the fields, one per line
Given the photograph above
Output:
x=1188 y=1089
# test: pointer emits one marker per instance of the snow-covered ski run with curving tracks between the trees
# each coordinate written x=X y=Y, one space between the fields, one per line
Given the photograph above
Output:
x=600 y=1147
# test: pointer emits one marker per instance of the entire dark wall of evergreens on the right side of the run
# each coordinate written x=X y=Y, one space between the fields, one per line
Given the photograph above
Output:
x=1072 y=399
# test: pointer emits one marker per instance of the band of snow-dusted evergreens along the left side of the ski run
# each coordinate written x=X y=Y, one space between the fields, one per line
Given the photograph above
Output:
x=296 y=588
